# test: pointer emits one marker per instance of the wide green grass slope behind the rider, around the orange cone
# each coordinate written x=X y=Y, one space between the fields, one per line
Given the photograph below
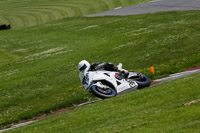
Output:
x=38 y=71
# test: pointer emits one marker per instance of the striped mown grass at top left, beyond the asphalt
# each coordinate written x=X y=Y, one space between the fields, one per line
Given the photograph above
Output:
x=33 y=12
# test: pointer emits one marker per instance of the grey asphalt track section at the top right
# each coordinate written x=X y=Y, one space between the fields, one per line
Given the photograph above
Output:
x=153 y=6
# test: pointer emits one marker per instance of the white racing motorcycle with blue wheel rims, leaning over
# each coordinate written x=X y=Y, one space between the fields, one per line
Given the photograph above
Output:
x=107 y=84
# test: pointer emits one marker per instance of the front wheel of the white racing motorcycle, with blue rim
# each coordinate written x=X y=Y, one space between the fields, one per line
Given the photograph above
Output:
x=103 y=93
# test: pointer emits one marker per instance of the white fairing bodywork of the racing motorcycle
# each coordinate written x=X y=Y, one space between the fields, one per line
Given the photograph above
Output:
x=119 y=84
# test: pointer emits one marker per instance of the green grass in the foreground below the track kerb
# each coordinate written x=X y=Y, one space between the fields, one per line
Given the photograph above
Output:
x=170 y=107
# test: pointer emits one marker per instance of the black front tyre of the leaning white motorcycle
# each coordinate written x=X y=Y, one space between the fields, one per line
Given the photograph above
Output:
x=102 y=95
